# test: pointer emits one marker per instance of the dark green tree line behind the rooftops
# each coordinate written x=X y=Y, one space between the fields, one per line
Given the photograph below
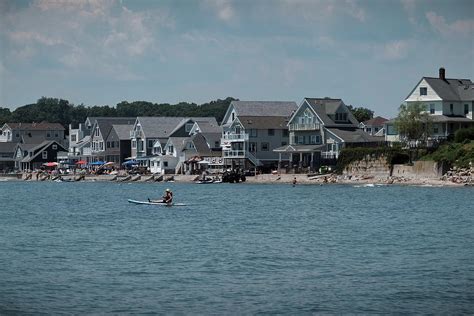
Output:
x=61 y=111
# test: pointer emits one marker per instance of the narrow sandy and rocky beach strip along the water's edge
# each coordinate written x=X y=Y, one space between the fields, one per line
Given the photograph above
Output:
x=301 y=179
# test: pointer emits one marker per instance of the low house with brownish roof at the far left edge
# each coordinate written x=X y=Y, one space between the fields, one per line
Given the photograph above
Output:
x=18 y=132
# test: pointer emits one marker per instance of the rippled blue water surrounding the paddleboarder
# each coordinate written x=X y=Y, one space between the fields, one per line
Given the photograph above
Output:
x=80 y=248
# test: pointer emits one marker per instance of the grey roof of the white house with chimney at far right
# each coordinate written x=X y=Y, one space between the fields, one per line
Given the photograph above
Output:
x=452 y=89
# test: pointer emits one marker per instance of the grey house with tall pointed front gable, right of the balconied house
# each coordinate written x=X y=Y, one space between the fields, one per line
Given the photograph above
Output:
x=319 y=129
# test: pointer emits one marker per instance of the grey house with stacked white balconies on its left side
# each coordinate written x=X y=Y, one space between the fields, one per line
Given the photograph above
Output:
x=251 y=130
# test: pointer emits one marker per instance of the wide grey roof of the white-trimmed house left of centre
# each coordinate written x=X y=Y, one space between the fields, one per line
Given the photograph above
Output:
x=158 y=126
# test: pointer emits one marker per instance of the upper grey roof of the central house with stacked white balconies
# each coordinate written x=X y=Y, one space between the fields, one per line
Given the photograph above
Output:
x=264 y=108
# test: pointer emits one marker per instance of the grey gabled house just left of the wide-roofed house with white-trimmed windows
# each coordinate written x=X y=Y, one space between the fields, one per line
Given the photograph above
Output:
x=106 y=140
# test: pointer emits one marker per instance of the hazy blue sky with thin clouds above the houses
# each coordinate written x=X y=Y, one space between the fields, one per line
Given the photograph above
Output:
x=369 y=53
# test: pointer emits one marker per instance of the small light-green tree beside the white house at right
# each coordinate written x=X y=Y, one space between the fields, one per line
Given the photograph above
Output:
x=413 y=123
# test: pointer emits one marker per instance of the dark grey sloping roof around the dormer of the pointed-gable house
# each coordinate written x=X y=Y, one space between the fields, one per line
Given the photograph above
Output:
x=327 y=106
